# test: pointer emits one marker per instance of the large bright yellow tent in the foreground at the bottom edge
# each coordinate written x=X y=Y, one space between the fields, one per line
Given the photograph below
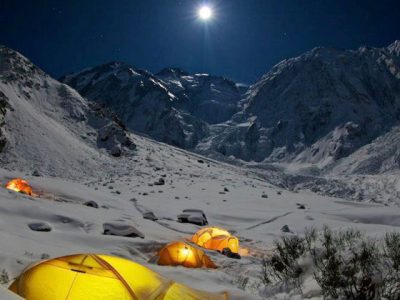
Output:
x=100 y=277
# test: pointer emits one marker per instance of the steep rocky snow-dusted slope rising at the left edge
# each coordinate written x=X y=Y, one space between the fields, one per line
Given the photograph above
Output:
x=42 y=119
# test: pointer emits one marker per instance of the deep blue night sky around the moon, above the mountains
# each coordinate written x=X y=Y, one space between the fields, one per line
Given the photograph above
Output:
x=243 y=41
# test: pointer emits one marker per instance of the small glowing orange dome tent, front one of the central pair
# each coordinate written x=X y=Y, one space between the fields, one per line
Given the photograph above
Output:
x=182 y=254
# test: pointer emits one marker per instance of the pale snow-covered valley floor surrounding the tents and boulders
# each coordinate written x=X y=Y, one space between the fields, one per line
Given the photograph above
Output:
x=124 y=193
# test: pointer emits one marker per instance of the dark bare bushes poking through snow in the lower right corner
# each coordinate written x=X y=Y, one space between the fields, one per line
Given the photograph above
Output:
x=344 y=264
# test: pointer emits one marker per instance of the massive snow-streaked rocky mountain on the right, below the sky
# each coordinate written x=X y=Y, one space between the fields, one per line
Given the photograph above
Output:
x=316 y=108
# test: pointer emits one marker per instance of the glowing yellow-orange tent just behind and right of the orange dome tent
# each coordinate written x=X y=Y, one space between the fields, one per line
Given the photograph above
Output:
x=215 y=238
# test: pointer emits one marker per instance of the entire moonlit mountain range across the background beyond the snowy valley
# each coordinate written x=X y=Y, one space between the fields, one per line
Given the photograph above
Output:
x=318 y=108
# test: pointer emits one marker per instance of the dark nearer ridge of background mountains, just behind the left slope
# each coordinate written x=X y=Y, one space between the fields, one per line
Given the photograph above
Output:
x=141 y=101
